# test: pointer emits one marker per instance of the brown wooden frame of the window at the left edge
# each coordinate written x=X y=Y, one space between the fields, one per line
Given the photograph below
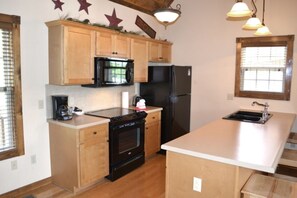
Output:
x=13 y=22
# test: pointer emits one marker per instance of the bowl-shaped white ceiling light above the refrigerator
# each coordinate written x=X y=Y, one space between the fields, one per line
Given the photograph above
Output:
x=168 y=15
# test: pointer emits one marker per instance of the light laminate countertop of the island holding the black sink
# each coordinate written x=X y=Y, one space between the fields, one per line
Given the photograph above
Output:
x=249 y=145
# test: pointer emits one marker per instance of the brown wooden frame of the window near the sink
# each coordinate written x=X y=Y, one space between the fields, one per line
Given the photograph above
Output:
x=286 y=40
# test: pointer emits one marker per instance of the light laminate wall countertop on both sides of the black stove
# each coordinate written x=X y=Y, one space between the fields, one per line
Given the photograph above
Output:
x=83 y=121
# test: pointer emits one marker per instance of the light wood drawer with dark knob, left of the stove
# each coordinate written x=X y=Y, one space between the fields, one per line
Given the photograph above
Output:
x=95 y=134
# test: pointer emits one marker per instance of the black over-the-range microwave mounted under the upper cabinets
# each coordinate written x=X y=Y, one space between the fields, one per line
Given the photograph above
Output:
x=112 y=72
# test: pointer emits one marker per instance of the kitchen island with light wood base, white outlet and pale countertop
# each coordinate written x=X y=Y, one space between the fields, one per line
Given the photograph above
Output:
x=222 y=155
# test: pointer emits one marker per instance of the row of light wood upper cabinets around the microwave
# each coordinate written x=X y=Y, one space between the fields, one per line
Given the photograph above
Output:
x=73 y=46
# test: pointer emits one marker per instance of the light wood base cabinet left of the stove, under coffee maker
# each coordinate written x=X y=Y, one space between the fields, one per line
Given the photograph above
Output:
x=79 y=157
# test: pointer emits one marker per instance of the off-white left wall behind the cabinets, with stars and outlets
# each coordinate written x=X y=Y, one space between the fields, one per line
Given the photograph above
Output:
x=34 y=65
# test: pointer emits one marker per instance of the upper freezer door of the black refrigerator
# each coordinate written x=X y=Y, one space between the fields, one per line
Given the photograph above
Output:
x=181 y=80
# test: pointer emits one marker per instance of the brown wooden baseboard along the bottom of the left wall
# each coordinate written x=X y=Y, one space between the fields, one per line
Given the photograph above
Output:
x=26 y=189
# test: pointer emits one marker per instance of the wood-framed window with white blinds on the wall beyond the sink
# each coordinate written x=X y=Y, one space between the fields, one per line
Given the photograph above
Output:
x=264 y=67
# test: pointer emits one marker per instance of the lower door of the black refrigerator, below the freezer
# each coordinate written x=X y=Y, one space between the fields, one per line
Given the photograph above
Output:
x=181 y=110
